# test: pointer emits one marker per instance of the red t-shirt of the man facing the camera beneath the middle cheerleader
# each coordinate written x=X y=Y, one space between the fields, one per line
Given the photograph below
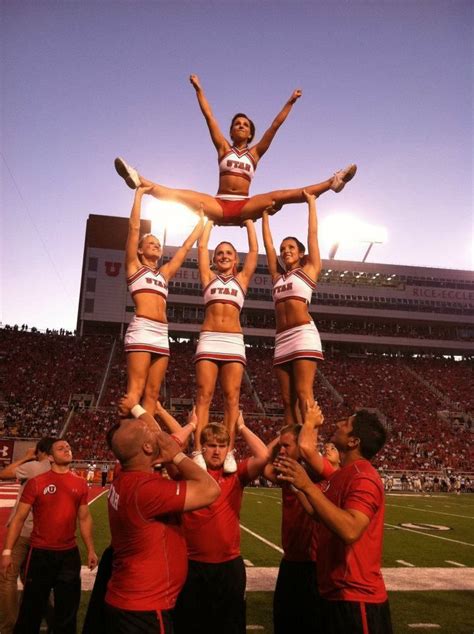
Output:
x=213 y=533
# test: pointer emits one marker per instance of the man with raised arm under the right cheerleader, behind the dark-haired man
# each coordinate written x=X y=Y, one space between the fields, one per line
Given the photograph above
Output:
x=296 y=602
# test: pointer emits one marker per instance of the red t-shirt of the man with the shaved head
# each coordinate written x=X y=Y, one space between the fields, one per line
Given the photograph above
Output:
x=149 y=563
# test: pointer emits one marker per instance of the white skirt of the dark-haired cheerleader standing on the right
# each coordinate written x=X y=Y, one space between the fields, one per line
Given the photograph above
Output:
x=300 y=342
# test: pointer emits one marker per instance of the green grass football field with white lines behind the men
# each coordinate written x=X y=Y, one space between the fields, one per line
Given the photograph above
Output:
x=450 y=610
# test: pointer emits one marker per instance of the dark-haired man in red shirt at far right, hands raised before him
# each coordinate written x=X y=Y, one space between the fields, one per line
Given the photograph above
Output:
x=351 y=514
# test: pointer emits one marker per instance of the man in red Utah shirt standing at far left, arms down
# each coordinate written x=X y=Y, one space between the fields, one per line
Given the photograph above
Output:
x=58 y=499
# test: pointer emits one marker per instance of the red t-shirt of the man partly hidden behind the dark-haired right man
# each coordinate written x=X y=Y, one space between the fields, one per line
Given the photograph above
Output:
x=298 y=529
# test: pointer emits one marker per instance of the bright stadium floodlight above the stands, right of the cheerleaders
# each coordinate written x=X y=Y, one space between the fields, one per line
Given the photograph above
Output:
x=344 y=228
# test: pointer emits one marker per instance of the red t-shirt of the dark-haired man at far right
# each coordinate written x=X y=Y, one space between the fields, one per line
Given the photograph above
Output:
x=351 y=572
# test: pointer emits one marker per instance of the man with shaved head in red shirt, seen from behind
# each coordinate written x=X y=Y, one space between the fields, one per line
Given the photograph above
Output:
x=149 y=551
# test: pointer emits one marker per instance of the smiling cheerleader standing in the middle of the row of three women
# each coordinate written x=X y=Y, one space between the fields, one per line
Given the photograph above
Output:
x=220 y=351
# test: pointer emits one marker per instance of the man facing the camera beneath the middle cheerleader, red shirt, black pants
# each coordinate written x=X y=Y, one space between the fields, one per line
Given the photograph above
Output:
x=212 y=600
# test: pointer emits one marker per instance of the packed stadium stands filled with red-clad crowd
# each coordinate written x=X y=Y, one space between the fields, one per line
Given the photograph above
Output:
x=51 y=383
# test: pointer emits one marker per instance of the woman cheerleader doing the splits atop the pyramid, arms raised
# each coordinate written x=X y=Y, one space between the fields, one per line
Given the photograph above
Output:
x=237 y=163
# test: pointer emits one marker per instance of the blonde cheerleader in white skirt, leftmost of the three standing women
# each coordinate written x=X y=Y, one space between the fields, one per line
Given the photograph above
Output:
x=146 y=339
